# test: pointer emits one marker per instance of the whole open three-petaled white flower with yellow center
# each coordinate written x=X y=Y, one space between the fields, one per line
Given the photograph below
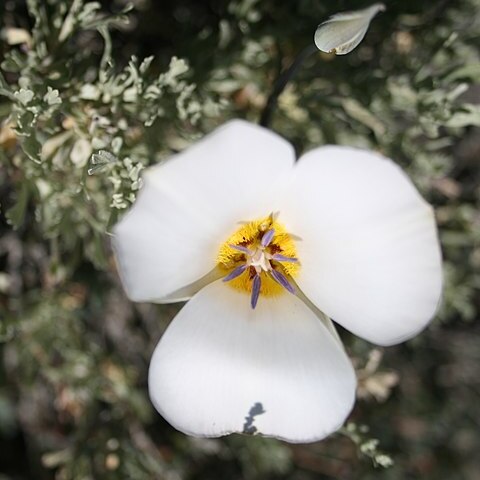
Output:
x=268 y=249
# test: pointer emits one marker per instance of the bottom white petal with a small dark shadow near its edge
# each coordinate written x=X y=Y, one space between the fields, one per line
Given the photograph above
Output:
x=222 y=367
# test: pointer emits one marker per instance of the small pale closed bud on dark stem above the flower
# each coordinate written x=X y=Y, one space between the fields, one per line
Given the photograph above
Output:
x=342 y=32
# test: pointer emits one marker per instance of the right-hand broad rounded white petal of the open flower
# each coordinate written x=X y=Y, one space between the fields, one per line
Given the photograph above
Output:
x=370 y=254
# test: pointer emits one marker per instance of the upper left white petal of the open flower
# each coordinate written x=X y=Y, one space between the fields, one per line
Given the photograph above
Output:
x=191 y=204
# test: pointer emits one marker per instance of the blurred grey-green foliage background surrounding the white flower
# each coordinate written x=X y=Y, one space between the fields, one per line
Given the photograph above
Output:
x=90 y=94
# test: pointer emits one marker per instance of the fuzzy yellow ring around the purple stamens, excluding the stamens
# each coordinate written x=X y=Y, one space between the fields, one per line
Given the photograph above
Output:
x=250 y=236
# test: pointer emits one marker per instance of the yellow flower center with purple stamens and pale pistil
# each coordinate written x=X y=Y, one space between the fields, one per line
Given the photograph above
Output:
x=259 y=258
